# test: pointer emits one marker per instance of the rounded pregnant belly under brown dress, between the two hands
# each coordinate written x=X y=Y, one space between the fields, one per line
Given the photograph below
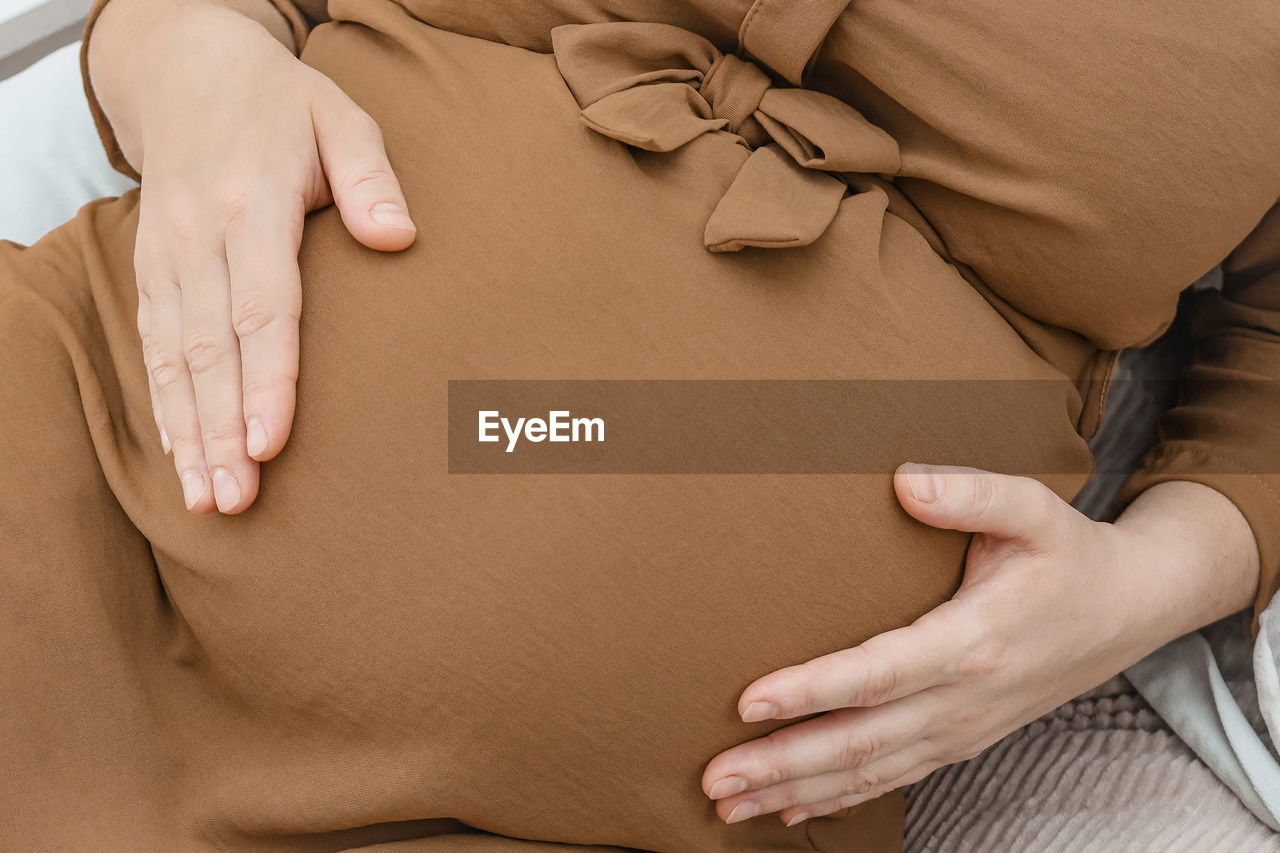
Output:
x=559 y=656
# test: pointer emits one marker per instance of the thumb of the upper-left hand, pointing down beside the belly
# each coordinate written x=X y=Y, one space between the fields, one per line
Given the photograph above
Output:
x=360 y=176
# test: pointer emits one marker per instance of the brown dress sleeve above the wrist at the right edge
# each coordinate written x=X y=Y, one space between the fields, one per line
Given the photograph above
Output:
x=1226 y=430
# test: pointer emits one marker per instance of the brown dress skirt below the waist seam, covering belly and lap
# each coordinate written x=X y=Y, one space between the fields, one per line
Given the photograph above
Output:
x=380 y=644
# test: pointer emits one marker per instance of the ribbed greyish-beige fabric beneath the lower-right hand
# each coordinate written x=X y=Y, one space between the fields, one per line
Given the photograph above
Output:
x=1100 y=774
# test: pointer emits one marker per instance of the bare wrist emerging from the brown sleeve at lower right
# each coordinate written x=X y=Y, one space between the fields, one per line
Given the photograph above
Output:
x=1191 y=559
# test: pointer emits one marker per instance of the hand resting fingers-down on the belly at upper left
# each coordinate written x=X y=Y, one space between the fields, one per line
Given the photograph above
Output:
x=236 y=140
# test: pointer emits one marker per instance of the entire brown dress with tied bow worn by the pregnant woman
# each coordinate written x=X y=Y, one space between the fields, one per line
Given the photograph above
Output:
x=382 y=651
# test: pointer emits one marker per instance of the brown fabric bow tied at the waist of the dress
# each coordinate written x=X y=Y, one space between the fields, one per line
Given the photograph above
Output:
x=657 y=88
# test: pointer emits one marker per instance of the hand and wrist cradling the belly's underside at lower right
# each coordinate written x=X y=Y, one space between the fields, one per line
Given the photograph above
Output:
x=1052 y=605
